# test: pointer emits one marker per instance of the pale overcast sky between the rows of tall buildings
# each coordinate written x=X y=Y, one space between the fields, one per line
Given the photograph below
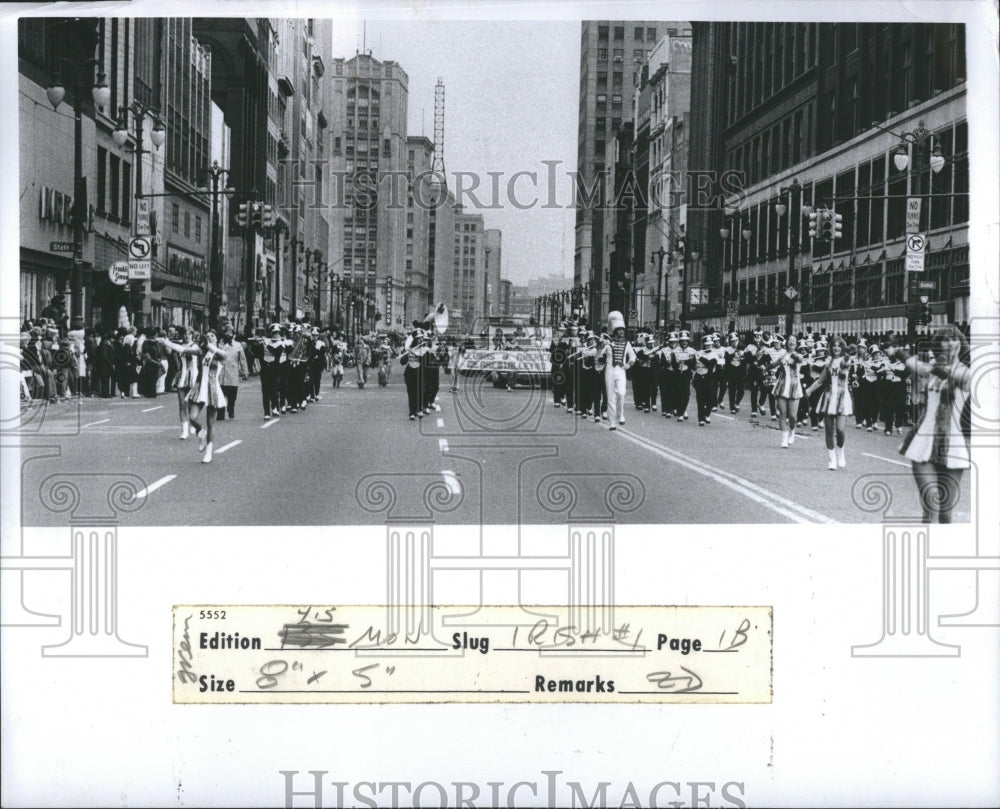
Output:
x=510 y=103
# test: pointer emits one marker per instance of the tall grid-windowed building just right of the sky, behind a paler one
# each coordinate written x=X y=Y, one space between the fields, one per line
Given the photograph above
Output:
x=611 y=53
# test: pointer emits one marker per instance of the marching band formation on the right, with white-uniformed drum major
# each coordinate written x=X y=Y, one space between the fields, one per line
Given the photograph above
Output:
x=802 y=381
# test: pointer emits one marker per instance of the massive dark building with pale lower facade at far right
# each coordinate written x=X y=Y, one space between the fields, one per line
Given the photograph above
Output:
x=790 y=106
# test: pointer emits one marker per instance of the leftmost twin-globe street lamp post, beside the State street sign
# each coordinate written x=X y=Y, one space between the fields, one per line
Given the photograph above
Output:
x=101 y=96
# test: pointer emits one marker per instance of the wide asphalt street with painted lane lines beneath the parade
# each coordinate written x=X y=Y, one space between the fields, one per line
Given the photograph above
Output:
x=487 y=457
